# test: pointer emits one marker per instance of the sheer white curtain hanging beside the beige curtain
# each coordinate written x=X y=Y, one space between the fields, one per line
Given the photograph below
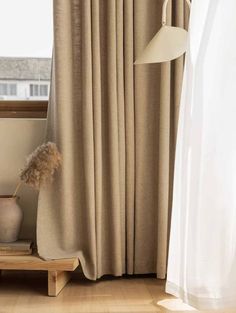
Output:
x=202 y=253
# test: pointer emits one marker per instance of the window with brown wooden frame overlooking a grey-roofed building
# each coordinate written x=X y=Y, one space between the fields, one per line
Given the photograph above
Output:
x=25 y=56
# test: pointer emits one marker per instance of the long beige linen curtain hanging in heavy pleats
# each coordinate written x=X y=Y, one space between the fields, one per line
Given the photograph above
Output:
x=115 y=125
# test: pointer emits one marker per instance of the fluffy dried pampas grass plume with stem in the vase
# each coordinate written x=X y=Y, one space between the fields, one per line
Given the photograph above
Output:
x=40 y=166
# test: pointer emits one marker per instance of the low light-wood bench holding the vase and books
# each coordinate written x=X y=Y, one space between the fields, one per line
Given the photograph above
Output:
x=58 y=270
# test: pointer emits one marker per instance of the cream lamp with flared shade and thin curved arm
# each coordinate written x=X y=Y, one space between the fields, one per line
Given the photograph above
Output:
x=168 y=44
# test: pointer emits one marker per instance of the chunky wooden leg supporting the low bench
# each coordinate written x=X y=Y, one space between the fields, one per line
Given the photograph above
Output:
x=57 y=281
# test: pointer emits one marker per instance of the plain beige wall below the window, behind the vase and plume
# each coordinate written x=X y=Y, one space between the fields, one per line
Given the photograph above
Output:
x=18 y=138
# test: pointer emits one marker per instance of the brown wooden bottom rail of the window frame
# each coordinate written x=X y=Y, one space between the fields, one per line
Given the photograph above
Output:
x=23 y=109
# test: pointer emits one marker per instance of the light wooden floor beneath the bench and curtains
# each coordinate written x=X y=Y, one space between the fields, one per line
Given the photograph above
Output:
x=25 y=292
